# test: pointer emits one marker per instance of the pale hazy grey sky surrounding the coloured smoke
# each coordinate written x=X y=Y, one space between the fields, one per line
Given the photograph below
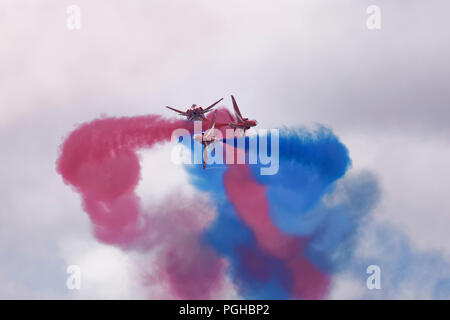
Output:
x=385 y=93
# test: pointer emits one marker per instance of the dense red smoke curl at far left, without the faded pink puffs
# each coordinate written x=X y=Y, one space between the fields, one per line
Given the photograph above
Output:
x=100 y=161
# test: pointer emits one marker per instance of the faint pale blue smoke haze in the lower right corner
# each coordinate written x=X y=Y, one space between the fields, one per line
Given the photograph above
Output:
x=406 y=273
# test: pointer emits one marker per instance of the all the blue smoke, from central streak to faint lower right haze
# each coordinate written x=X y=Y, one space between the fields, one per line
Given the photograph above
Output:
x=313 y=196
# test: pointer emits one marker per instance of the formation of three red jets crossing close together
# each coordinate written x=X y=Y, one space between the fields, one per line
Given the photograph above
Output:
x=206 y=138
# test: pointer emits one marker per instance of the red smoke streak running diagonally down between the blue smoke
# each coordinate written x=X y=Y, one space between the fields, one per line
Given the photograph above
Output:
x=250 y=202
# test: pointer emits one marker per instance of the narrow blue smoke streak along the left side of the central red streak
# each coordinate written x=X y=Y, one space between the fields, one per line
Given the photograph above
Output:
x=234 y=240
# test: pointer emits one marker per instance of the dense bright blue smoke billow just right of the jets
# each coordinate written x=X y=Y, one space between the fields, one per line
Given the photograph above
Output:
x=310 y=163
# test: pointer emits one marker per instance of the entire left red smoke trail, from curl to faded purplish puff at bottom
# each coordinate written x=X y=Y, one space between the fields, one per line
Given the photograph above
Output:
x=99 y=160
